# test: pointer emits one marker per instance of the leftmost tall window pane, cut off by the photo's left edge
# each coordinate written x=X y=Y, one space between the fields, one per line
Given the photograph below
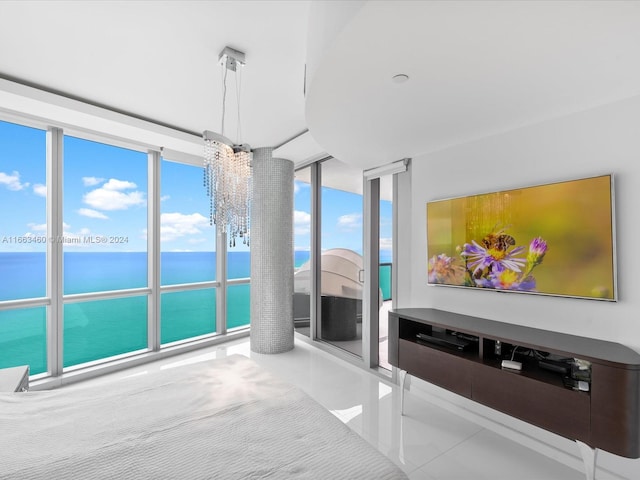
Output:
x=23 y=247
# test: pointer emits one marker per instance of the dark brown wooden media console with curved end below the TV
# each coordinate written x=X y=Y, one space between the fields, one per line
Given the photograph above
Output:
x=606 y=417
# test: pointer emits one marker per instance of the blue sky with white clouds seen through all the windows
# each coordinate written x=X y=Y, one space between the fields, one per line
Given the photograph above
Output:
x=106 y=194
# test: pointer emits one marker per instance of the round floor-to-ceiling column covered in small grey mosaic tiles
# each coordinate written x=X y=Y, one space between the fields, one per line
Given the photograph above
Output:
x=271 y=253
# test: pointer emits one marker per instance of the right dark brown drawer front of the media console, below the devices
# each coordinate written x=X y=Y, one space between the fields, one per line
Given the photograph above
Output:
x=559 y=410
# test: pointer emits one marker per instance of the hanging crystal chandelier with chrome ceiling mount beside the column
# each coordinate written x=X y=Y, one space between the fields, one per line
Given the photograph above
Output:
x=227 y=168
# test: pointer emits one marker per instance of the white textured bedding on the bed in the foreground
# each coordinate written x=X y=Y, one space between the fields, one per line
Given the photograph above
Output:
x=222 y=419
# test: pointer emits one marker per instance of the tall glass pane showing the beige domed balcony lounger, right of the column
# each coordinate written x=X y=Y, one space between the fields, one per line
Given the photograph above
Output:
x=341 y=261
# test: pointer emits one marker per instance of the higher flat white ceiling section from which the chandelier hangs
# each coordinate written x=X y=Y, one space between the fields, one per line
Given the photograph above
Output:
x=159 y=59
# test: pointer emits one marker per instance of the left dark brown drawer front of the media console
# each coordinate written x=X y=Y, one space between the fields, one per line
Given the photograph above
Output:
x=440 y=368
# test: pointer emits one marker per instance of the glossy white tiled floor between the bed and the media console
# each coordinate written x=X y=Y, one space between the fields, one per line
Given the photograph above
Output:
x=428 y=443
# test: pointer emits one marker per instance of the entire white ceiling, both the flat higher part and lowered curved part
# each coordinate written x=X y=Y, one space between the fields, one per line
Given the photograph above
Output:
x=476 y=68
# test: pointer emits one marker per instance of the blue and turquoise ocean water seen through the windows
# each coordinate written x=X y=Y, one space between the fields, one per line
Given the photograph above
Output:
x=99 y=329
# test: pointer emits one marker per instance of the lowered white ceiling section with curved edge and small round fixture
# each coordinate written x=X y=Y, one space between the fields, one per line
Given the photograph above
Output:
x=476 y=68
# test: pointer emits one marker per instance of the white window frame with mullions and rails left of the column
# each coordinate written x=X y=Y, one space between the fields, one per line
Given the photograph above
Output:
x=55 y=299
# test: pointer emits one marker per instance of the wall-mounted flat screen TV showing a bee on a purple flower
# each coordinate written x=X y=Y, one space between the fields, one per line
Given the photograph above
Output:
x=555 y=239
